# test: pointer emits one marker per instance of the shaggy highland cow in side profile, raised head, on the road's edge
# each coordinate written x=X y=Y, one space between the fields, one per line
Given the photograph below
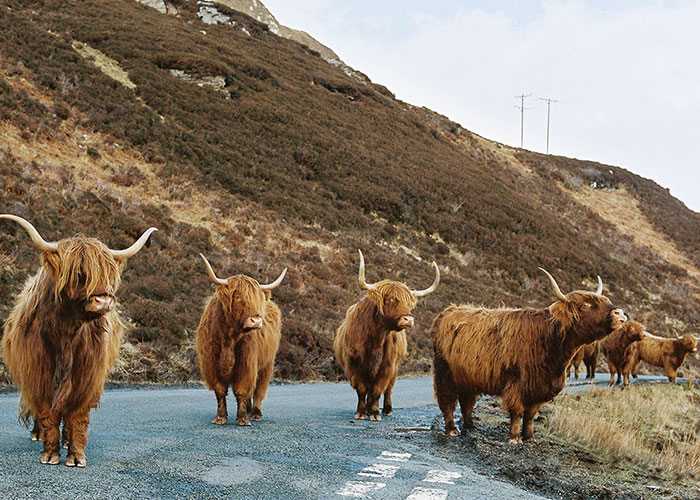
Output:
x=519 y=354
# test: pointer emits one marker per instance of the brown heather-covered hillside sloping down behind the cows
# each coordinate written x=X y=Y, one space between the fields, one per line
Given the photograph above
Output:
x=252 y=149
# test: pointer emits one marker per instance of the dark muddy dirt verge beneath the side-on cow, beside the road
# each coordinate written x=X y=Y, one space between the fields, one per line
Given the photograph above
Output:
x=556 y=467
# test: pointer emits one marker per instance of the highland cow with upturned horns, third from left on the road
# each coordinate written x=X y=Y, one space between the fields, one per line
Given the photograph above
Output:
x=371 y=340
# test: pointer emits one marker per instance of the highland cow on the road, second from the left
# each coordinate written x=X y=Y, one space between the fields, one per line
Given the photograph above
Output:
x=237 y=341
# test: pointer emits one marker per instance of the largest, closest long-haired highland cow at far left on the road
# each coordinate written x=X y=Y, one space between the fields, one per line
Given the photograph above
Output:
x=63 y=336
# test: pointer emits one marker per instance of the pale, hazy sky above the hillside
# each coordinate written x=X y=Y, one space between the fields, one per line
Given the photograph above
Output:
x=626 y=73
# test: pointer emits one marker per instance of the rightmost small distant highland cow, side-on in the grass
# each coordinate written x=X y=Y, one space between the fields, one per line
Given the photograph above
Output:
x=668 y=354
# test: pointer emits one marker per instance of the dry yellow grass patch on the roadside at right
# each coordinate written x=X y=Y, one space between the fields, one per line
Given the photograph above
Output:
x=648 y=425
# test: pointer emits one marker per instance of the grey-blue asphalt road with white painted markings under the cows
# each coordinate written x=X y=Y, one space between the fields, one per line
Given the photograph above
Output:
x=160 y=444
